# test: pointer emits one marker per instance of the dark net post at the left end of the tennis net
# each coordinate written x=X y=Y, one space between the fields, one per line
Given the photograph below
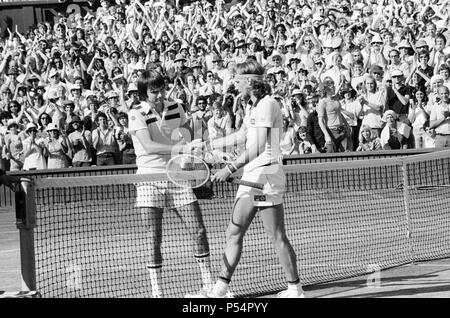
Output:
x=25 y=222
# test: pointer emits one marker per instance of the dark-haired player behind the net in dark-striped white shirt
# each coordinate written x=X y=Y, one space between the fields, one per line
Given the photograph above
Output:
x=156 y=128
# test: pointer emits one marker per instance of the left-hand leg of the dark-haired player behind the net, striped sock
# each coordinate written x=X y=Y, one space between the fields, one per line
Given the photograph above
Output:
x=152 y=218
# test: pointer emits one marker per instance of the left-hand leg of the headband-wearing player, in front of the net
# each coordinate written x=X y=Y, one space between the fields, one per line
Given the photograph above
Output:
x=242 y=216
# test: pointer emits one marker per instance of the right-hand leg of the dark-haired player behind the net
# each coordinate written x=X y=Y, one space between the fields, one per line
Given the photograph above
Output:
x=192 y=218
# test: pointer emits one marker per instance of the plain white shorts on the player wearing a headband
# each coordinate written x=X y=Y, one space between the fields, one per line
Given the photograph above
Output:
x=274 y=181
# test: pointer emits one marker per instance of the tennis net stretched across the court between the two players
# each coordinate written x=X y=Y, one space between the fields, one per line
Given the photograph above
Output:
x=343 y=219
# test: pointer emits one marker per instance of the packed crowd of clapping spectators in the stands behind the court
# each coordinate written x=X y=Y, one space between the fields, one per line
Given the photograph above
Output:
x=349 y=75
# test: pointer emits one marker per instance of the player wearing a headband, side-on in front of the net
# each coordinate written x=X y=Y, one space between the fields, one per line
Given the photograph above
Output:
x=261 y=132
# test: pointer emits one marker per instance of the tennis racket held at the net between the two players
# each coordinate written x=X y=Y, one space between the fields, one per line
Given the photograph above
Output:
x=190 y=171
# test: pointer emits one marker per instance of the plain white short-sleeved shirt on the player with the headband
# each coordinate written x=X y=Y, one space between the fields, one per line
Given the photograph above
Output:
x=267 y=113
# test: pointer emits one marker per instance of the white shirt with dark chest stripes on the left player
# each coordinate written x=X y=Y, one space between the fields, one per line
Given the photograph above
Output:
x=164 y=129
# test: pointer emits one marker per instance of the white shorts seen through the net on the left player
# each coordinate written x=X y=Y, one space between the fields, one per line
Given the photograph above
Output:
x=162 y=194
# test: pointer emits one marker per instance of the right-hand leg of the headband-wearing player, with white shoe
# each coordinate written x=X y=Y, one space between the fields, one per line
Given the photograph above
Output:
x=273 y=220
